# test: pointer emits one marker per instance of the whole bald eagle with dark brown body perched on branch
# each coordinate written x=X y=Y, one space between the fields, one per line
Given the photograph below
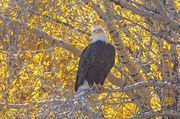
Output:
x=96 y=61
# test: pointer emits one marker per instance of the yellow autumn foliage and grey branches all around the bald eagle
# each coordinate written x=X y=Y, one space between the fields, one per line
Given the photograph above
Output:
x=40 y=45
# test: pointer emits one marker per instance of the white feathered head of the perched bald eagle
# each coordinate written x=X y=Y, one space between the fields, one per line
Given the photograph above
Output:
x=98 y=33
